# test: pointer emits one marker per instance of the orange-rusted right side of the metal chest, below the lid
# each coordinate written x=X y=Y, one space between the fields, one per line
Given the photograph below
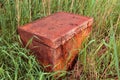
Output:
x=69 y=50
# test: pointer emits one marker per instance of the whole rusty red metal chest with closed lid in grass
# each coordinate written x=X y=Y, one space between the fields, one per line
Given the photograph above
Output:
x=56 y=38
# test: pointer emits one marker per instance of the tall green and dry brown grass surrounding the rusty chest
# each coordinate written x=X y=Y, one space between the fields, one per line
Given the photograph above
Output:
x=99 y=55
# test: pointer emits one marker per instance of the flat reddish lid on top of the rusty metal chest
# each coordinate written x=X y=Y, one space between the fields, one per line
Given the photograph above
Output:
x=57 y=28
